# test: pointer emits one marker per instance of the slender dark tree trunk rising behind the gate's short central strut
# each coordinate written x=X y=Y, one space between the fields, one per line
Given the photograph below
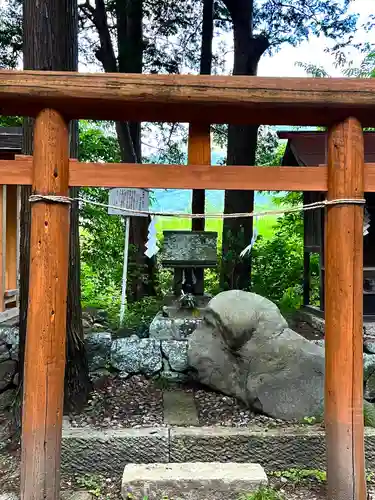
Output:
x=198 y=198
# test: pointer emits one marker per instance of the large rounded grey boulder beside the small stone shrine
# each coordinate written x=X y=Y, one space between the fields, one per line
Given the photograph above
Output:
x=244 y=348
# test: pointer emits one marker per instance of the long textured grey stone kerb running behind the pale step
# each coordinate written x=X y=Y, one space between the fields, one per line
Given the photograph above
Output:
x=107 y=452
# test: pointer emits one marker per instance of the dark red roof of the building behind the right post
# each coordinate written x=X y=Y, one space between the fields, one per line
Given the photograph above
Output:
x=309 y=148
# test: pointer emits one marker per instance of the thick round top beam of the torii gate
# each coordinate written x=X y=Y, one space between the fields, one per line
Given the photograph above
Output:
x=188 y=98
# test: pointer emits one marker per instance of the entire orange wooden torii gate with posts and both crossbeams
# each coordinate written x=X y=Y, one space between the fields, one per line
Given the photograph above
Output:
x=344 y=105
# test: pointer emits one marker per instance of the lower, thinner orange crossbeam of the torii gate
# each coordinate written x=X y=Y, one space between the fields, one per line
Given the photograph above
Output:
x=312 y=178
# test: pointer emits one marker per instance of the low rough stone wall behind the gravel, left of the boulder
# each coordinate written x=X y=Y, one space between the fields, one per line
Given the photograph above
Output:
x=162 y=354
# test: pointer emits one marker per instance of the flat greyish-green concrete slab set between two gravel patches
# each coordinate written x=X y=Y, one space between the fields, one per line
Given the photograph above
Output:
x=179 y=408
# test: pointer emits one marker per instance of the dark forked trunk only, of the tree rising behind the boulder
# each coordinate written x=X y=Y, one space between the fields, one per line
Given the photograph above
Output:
x=242 y=143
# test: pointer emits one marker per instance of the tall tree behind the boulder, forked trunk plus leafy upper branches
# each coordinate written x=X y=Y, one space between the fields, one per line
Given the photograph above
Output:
x=259 y=26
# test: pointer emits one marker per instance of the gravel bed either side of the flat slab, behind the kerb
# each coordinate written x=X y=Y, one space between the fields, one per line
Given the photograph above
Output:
x=138 y=402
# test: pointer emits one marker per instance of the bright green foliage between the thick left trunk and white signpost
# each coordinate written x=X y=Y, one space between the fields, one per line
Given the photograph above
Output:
x=102 y=235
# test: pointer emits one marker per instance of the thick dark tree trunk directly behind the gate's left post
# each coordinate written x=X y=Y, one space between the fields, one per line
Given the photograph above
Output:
x=50 y=43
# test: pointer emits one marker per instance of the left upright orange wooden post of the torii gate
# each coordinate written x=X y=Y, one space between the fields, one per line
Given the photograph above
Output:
x=46 y=322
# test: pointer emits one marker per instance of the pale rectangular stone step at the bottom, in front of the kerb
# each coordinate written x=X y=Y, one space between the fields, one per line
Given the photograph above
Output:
x=191 y=481
